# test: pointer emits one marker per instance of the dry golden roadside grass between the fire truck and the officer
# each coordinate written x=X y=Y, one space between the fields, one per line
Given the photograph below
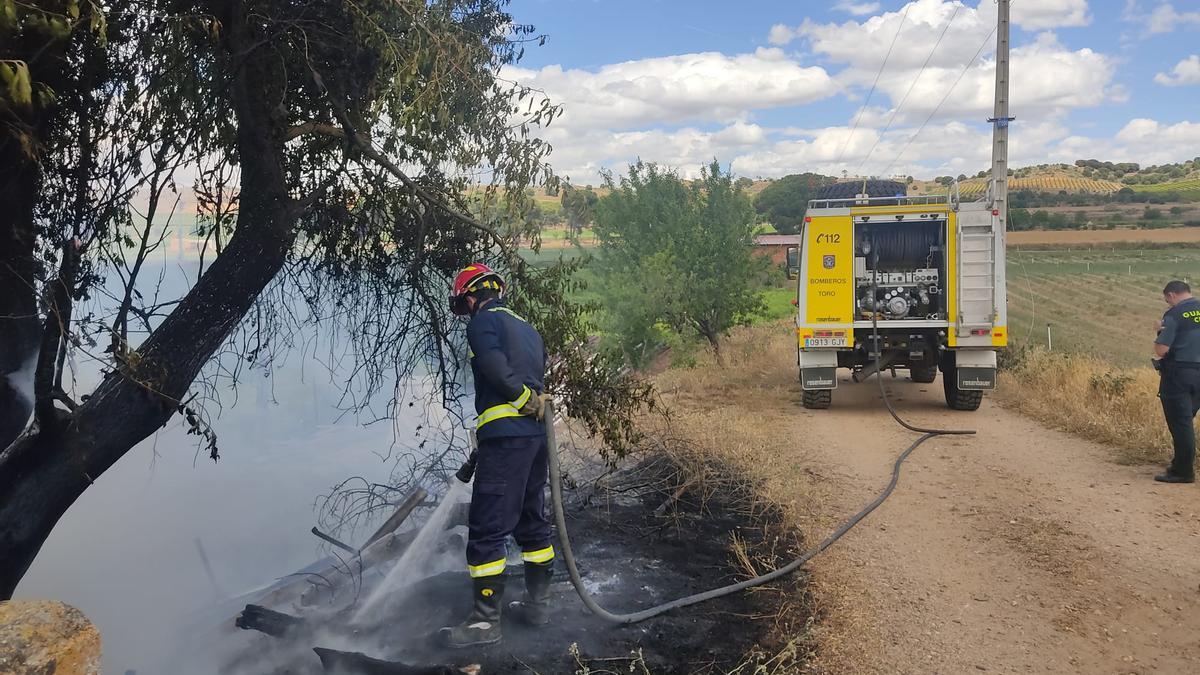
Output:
x=1091 y=398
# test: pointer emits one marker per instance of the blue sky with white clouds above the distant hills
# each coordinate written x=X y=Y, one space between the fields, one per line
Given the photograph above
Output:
x=776 y=88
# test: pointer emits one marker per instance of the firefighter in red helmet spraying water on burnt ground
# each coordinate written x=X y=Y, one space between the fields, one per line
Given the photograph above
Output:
x=508 y=361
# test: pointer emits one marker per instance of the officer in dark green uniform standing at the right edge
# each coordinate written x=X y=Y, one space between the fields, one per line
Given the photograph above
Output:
x=1178 y=348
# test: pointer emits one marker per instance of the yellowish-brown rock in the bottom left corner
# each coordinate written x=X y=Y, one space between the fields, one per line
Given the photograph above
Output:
x=47 y=638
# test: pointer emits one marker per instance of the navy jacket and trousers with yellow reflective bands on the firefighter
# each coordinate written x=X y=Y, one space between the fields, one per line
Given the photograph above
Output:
x=508 y=360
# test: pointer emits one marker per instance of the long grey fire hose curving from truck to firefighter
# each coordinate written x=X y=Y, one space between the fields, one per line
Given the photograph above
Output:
x=565 y=541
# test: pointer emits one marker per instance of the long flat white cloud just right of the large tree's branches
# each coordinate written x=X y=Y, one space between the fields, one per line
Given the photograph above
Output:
x=668 y=91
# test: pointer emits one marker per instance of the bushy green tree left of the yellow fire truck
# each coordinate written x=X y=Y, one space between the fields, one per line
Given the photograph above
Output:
x=677 y=255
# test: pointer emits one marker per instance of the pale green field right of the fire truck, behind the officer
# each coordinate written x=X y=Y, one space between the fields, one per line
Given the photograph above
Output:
x=1102 y=303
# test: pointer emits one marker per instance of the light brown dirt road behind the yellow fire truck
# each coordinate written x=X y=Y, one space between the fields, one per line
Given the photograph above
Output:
x=1018 y=551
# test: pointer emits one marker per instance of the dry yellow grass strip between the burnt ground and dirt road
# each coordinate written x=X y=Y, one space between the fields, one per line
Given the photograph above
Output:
x=737 y=416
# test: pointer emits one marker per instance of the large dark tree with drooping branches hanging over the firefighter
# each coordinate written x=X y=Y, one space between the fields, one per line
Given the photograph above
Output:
x=333 y=145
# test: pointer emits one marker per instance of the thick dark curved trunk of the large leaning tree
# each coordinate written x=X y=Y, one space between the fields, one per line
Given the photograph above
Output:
x=46 y=470
